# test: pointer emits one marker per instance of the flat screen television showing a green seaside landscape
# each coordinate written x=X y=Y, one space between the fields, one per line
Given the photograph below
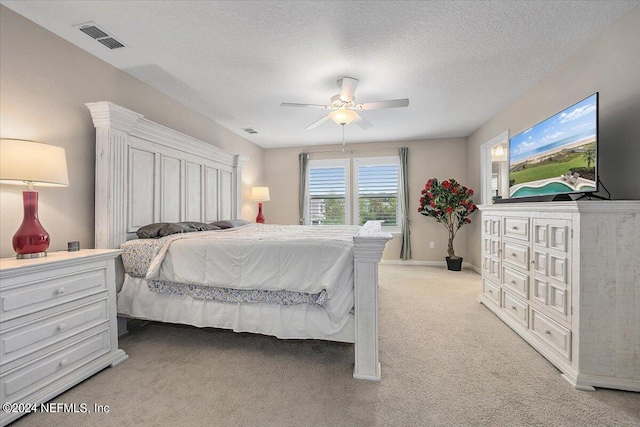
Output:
x=558 y=155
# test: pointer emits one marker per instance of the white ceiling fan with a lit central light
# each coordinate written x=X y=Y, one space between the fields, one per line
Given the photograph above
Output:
x=344 y=107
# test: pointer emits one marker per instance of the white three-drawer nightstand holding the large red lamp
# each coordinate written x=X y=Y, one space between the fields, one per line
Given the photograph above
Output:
x=57 y=324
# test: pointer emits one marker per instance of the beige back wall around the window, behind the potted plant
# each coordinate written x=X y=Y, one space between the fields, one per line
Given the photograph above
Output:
x=440 y=158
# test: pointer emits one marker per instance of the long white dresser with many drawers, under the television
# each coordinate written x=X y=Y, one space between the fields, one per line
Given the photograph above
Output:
x=566 y=277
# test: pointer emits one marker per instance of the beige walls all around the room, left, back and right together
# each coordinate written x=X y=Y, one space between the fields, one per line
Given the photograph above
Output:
x=45 y=81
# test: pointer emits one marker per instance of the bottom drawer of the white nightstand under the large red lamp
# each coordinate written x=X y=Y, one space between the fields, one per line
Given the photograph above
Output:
x=19 y=383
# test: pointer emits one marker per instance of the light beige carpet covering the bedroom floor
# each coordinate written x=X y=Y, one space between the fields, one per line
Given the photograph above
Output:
x=446 y=361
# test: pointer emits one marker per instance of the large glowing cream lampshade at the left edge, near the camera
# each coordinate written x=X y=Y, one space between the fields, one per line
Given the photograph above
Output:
x=32 y=162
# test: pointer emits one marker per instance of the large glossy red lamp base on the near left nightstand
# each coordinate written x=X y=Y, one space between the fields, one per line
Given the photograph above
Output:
x=31 y=240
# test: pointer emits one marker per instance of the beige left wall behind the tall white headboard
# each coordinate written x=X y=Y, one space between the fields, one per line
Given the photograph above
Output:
x=44 y=83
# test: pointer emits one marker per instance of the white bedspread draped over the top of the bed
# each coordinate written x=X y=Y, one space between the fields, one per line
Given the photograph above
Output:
x=266 y=257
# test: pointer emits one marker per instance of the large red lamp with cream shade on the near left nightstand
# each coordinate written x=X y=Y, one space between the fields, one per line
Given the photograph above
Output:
x=32 y=163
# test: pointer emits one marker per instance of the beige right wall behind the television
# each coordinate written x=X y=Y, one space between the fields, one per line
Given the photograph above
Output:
x=610 y=64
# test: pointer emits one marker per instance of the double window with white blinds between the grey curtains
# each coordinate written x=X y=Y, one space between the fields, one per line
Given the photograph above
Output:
x=374 y=195
